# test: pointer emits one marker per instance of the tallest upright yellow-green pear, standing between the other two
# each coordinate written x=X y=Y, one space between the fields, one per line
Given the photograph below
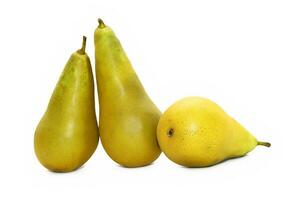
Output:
x=127 y=116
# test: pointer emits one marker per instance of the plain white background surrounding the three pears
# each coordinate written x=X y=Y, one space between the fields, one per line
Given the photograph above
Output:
x=228 y=51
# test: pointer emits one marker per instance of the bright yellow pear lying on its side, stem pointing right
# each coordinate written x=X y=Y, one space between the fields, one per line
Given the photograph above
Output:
x=196 y=132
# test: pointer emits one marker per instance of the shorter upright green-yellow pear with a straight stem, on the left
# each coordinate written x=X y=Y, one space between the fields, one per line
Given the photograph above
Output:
x=67 y=134
